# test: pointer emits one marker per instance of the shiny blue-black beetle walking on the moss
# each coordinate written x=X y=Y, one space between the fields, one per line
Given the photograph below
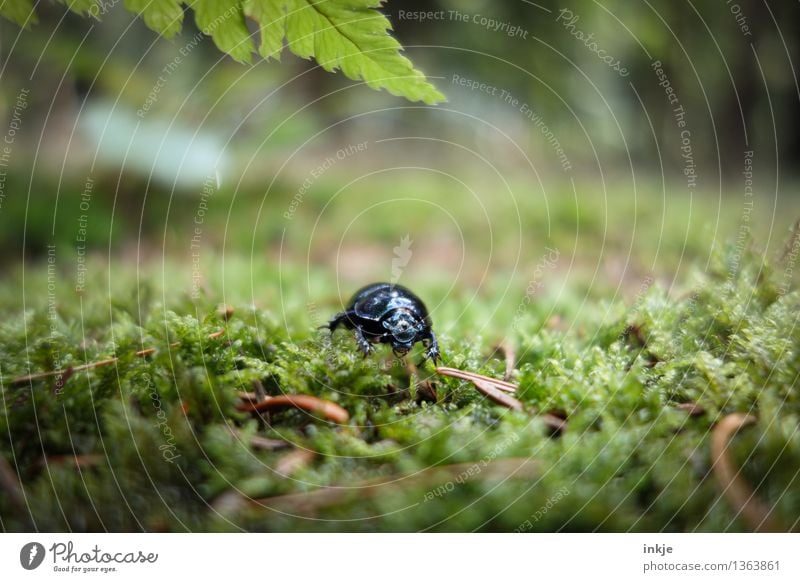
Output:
x=389 y=314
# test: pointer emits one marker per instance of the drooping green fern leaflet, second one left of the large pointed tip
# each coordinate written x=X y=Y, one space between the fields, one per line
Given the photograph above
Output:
x=223 y=20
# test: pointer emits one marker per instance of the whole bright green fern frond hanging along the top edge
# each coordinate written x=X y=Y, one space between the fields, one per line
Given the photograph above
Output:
x=347 y=35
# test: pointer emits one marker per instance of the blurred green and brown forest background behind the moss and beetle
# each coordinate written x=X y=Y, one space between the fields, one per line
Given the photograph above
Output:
x=132 y=126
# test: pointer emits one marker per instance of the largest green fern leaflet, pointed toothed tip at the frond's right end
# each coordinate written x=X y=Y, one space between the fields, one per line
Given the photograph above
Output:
x=352 y=36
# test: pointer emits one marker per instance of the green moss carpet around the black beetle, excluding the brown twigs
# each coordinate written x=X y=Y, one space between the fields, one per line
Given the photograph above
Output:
x=170 y=452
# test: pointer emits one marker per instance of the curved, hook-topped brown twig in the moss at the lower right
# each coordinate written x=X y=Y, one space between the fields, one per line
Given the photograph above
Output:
x=755 y=513
